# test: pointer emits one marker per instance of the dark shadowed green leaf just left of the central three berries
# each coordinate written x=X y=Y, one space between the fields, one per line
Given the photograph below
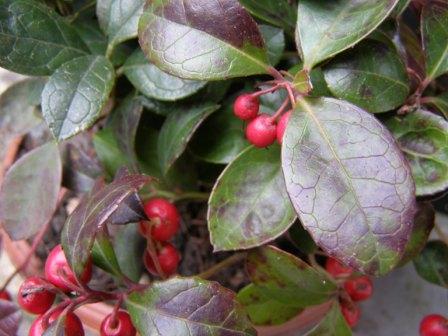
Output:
x=221 y=138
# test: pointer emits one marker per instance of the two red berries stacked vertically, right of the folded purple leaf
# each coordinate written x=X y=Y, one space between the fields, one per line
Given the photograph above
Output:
x=163 y=224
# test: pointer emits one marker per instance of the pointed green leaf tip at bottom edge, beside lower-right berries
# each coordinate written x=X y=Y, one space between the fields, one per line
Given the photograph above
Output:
x=333 y=324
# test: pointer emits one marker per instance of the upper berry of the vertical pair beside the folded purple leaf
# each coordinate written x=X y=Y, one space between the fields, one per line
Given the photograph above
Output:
x=165 y=219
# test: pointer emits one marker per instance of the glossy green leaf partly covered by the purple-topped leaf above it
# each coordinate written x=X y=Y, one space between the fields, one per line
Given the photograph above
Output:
x=154 y=83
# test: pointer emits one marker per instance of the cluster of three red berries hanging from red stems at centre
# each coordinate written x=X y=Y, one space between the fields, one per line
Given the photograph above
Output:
x=262 y=129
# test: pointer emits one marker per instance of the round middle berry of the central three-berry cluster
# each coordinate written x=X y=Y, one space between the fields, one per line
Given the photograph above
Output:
x=261 y=131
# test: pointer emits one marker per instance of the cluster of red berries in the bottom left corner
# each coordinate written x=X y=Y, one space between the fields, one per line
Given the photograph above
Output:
x=37 y=295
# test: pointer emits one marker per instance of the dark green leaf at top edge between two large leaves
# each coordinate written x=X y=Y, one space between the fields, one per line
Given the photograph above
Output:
x=280 y=13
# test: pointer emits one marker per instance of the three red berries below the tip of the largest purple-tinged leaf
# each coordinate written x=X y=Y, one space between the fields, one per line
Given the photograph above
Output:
x=358 y=288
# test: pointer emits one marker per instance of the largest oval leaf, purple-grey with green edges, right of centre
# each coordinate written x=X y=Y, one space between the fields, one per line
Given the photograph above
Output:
x=349 y=183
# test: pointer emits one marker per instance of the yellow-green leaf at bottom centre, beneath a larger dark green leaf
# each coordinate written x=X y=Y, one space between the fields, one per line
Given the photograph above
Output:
x=265 y=310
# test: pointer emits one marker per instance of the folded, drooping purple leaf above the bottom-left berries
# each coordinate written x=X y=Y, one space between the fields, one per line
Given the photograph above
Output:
x=92 y=213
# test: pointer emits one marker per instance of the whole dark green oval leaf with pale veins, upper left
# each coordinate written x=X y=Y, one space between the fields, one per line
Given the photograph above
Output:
x=75 y=94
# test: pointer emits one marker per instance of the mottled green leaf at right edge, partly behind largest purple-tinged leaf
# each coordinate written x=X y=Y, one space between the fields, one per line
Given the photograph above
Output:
x=423 y=137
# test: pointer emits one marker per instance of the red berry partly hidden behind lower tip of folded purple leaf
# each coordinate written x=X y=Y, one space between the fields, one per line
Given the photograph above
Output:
x=57 y=268
